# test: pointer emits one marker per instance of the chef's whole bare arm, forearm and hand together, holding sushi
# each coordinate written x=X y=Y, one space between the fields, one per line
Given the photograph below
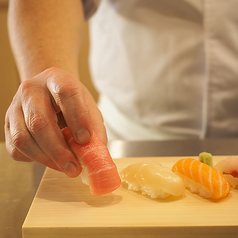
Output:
x=46 y=36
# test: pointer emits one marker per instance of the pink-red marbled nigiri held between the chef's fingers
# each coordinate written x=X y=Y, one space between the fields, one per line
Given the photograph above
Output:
x=99 y=170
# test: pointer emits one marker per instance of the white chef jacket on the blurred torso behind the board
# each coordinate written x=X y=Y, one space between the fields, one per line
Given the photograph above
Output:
x=166 y=69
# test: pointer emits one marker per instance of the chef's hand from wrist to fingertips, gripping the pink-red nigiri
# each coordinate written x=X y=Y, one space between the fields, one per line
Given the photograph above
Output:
x=41 y=106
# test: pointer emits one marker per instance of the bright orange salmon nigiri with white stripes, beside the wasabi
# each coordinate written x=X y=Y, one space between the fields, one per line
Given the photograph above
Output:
x=202 y=179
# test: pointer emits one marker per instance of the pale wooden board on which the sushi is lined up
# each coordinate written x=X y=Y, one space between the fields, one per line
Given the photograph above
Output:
x=63 y=207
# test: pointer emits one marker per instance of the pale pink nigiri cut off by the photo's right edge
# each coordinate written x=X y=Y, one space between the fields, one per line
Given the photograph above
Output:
x=229 y=167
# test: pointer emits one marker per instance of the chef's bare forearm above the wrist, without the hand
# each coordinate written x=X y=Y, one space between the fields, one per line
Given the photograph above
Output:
x=45 y=34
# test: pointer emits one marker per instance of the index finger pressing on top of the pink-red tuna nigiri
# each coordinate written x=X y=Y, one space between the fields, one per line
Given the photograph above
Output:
x=68 y=94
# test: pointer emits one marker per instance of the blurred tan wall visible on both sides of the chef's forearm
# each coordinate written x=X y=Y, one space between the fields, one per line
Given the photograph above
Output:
x=9 y=80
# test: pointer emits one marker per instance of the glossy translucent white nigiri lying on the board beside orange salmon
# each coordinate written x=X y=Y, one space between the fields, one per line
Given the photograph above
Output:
x=153 y=180
